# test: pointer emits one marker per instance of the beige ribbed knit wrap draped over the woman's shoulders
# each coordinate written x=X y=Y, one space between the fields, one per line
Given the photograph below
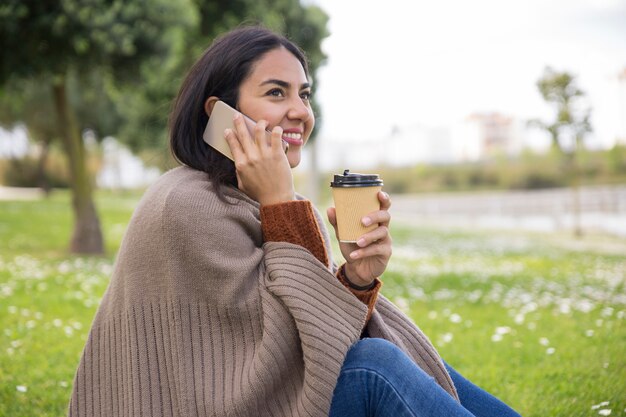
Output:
x=202 y=318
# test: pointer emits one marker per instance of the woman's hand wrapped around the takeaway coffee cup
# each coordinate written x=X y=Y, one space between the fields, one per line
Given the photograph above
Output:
x=367 y=259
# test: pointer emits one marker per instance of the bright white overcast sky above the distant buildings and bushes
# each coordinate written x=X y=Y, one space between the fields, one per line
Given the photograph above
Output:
x=410 y=62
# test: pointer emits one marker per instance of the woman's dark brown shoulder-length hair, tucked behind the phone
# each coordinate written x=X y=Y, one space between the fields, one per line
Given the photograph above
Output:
x=219 y=72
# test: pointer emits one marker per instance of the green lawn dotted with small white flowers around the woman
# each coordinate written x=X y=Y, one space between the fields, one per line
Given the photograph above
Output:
x=538 y=320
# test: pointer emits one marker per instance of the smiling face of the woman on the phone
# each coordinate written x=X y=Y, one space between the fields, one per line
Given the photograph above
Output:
x=277 y=91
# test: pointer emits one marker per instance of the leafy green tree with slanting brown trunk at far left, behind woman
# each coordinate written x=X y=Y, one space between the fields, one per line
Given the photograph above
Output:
x=49 y=42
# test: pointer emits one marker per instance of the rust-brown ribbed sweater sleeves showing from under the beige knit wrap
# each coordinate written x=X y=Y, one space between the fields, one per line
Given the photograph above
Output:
x=294 y=222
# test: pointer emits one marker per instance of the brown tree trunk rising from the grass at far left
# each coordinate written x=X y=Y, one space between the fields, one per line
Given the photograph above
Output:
x=87 y=235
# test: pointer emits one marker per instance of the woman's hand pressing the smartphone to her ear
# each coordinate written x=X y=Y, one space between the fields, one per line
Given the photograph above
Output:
x=263 y=171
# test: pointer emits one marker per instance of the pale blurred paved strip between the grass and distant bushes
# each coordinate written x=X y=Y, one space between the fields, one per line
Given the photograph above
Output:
x=602 y=209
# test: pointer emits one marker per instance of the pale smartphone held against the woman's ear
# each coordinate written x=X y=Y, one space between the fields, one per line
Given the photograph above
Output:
x=221 y=119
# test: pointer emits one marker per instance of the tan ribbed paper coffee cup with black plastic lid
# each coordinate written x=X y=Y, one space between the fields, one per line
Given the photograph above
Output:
x=355 y=196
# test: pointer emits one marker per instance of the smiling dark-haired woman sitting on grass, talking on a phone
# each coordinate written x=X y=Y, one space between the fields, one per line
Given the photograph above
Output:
x=225 y=301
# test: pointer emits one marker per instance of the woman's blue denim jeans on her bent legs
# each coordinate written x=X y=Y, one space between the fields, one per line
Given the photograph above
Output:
x=378 y=379
